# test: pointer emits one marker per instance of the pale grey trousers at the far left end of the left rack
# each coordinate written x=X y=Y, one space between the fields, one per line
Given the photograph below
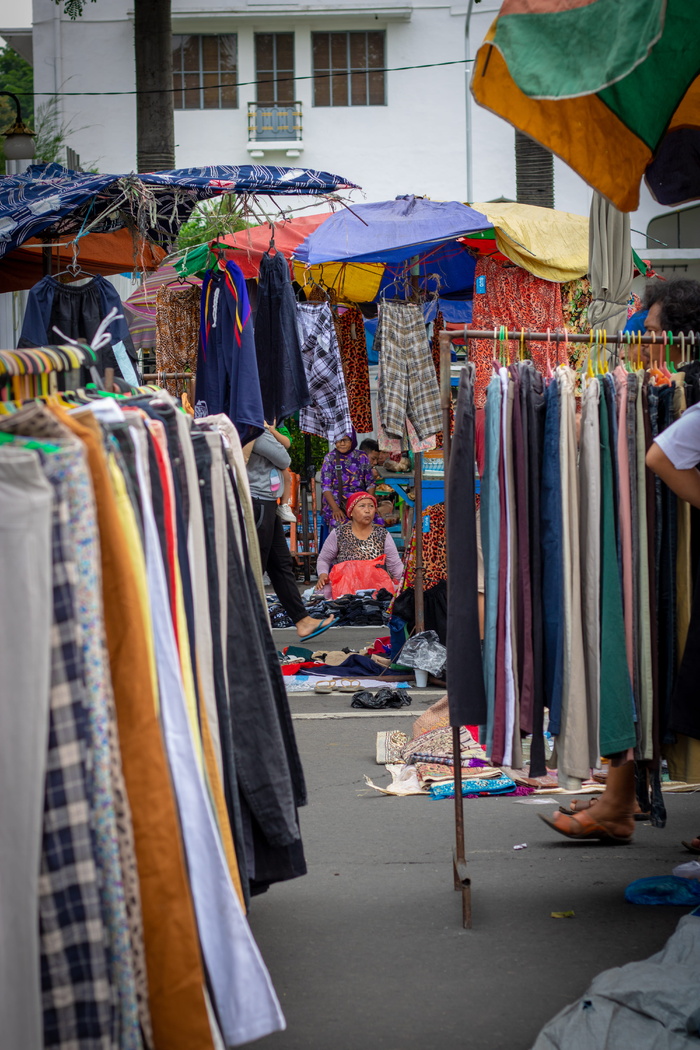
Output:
x=26 y=550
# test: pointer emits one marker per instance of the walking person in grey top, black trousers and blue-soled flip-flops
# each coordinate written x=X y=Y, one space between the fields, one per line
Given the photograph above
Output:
x=268 y=455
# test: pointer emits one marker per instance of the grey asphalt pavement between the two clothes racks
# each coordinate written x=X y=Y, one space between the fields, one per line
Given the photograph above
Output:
x=368 y=953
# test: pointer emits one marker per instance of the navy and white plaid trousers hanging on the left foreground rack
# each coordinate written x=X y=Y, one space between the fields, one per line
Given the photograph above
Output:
x=79 y=1001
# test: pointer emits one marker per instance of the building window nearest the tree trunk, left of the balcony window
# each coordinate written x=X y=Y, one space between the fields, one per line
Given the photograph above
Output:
x=205 y=72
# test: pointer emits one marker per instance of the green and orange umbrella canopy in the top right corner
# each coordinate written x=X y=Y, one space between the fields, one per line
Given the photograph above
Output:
x=611 y=87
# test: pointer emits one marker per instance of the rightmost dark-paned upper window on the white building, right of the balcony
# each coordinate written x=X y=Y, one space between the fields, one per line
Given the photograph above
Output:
x=349 y=69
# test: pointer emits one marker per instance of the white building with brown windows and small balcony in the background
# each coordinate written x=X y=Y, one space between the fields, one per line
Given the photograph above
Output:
x=410 y=130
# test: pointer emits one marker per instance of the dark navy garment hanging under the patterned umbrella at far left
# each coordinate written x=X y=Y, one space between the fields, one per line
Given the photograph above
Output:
x=78 y=311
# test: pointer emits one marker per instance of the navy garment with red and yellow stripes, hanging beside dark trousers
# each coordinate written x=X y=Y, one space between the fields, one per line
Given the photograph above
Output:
x=228 y=377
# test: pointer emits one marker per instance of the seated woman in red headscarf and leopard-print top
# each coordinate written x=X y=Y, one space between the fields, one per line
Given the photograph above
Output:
x=358 y=540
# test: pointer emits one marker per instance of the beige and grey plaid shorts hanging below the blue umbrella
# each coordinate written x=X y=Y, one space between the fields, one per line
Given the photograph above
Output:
x=409 y=385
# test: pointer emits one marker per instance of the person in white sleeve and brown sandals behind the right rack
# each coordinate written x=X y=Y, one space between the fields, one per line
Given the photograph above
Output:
x=672 y=306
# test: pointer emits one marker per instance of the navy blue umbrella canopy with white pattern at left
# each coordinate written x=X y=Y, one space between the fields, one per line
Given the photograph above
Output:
x=54 y=202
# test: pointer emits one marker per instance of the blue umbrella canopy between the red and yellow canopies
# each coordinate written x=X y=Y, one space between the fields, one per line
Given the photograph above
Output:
x=390 y=232
